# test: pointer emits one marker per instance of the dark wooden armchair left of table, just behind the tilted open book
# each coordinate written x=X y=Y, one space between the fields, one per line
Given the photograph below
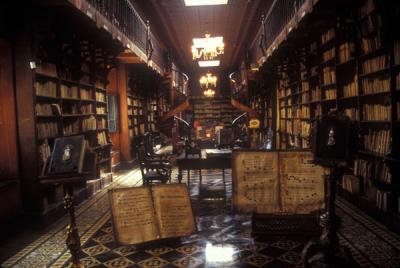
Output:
x=153 y=170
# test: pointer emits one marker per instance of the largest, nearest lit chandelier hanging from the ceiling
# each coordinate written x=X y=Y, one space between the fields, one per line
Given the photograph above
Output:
x=208 y=47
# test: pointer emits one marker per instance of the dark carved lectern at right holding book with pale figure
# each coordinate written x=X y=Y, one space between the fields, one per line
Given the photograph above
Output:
x=333 y=142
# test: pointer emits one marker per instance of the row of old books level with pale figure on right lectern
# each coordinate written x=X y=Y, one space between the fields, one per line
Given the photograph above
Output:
x=377 y=141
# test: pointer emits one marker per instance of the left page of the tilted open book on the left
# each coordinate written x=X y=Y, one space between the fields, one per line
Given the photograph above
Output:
x=133 y=215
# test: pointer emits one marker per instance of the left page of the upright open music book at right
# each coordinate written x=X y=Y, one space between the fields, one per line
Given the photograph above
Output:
x=255 y=180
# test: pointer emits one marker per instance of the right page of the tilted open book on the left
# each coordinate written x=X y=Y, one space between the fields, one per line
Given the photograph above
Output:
x=173 y=210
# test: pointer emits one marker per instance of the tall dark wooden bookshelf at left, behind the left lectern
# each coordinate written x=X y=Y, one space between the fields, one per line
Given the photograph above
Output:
x=64 y=95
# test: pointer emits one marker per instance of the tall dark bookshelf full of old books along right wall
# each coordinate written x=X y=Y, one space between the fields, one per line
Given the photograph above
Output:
x=350 y=65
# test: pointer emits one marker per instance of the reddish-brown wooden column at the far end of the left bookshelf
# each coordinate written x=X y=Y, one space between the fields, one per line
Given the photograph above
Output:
x=125 y=140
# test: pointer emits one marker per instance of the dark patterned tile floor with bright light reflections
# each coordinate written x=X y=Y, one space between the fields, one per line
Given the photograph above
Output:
x=221 y=233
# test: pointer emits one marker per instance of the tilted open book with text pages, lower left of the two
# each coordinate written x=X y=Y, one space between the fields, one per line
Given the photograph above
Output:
x=142 y=214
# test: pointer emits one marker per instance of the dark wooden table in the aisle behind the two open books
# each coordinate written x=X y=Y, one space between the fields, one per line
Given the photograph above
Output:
x=210 y=159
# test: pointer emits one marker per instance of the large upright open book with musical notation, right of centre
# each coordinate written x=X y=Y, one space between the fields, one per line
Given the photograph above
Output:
x=277 y=182
